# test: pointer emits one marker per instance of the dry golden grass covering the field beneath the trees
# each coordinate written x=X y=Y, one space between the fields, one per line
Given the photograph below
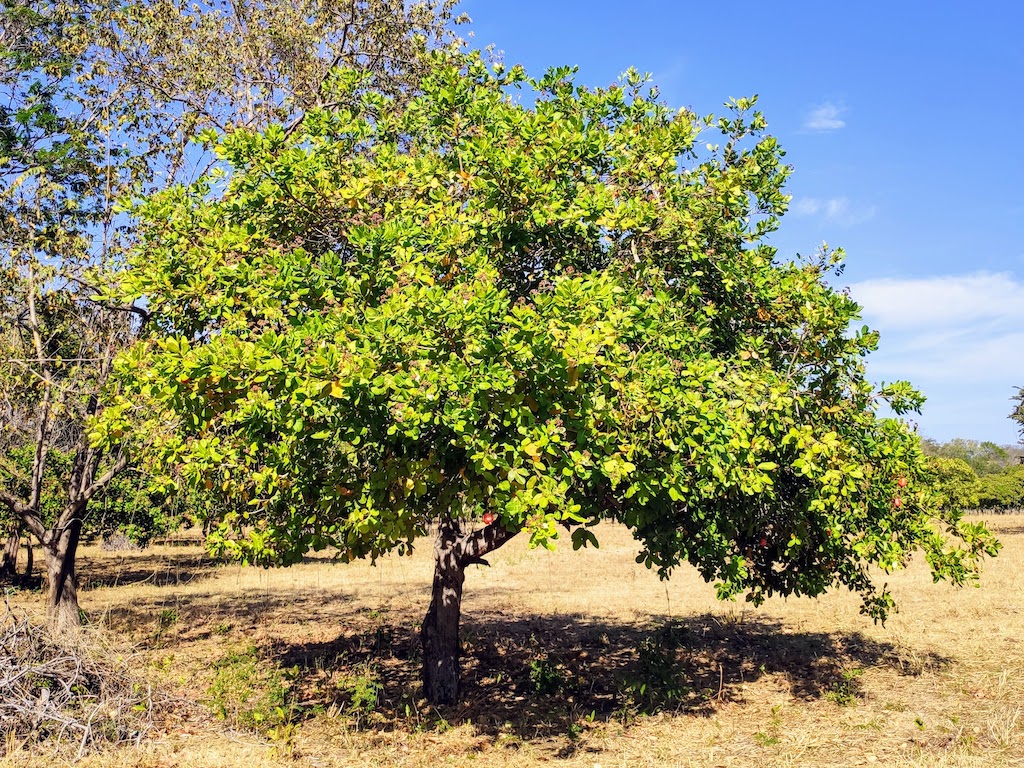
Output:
x=794 y=684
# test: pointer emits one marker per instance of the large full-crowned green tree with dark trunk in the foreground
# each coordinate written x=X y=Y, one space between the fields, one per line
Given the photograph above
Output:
x=517 y=306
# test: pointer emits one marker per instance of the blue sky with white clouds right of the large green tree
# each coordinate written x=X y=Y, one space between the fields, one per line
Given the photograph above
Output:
x=904 y=122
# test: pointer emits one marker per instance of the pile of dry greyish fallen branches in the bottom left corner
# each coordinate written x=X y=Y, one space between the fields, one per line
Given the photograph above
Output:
x=66 y=692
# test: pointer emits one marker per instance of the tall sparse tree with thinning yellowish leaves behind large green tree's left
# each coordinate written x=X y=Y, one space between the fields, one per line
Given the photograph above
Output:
x=101 y=101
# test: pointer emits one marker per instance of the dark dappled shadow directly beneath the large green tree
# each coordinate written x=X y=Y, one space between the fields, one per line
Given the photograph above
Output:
x=546 y=677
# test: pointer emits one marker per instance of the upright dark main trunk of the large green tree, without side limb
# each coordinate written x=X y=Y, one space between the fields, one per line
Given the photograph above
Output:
x=441 y=628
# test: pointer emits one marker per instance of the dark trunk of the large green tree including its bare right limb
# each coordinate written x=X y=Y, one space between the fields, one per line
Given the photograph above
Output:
x=440 y=634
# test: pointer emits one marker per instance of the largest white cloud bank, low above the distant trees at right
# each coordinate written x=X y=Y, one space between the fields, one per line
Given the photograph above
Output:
x=960 y=339
